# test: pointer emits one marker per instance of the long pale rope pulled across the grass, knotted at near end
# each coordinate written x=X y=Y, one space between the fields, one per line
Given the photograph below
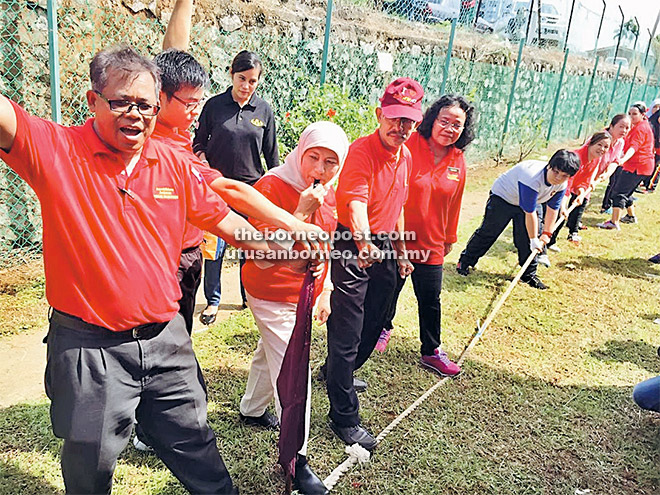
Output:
x=355 y=454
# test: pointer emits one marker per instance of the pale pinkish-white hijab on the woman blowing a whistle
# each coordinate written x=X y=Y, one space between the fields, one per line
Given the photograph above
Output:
x=319 y=134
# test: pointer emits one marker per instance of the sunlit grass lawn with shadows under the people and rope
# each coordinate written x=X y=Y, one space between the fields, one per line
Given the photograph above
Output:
x=543 y=405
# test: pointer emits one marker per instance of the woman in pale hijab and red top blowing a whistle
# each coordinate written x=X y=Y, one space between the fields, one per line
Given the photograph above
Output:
x=303 y=187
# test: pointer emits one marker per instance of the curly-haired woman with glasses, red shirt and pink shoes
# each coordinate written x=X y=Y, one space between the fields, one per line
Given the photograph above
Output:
x=437 y=181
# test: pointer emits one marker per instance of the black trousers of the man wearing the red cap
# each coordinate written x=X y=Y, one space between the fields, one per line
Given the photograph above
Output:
x=359 y=303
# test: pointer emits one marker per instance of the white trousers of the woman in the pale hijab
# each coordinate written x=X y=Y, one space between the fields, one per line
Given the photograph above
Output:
x=275 y=321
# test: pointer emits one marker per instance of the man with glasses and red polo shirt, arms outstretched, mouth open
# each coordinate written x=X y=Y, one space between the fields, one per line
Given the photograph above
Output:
x=114 y=207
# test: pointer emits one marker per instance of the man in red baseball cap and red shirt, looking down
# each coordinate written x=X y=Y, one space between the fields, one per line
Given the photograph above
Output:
x=372 y=189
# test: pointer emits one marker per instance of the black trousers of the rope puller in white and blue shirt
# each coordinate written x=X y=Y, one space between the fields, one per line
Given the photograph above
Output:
x=497 y=216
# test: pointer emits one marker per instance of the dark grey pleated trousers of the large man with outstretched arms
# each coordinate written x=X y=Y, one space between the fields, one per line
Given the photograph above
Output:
x=100 y=381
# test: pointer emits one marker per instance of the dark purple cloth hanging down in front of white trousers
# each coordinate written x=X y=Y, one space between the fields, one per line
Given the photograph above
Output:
x=292 y=380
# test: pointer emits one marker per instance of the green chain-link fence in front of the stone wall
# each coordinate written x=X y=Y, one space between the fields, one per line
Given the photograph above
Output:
x=522 y=101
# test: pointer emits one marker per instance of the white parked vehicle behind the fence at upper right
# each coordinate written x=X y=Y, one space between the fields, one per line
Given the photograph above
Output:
x=513 y=22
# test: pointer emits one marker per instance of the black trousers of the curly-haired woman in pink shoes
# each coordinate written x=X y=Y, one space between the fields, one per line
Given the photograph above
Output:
x=427 y=284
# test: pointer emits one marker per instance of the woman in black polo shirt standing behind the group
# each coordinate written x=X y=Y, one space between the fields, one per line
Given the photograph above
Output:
x=235 y=128
